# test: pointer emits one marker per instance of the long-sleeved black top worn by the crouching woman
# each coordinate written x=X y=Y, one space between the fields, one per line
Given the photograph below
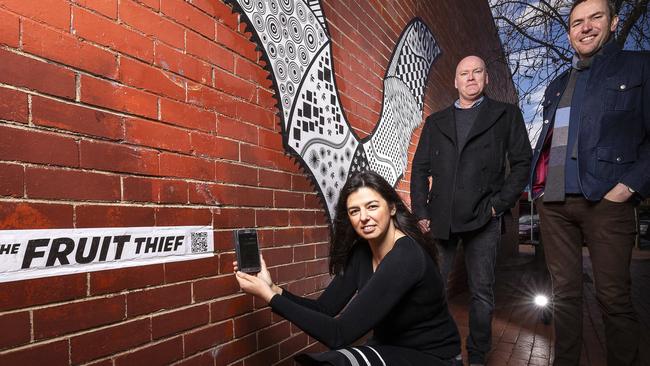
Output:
x=403 y=301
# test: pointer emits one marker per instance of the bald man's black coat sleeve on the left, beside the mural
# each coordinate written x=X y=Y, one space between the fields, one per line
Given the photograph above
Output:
x=420 y=172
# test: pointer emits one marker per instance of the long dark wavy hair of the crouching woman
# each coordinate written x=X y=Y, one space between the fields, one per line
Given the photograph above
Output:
x=344 y=237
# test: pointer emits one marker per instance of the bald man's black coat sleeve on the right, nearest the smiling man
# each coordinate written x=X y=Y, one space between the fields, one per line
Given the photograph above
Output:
x=519 y=157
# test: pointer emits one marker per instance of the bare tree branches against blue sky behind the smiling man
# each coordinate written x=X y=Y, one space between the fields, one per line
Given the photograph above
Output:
x=535 y=43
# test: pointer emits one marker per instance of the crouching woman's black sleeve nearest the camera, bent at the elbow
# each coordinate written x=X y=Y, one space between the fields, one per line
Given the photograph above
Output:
x=402 y=267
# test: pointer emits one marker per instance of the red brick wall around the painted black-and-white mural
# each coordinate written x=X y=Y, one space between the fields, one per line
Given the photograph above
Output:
x=155 y=113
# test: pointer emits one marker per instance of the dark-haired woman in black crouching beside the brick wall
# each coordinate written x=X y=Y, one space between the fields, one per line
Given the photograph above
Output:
x=378 y=254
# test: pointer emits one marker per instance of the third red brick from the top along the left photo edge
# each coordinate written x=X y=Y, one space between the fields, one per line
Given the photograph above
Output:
x=21 y=71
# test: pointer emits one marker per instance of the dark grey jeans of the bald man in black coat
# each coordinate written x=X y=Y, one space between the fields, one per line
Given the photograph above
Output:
x=480 y=248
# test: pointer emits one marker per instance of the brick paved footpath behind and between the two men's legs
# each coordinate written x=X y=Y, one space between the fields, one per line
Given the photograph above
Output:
x=519 y=336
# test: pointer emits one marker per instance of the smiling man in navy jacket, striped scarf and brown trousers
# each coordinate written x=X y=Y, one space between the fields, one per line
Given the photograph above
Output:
x=590 y=169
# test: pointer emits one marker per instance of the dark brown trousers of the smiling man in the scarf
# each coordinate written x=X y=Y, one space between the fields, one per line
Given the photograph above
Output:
x=608 y=229
